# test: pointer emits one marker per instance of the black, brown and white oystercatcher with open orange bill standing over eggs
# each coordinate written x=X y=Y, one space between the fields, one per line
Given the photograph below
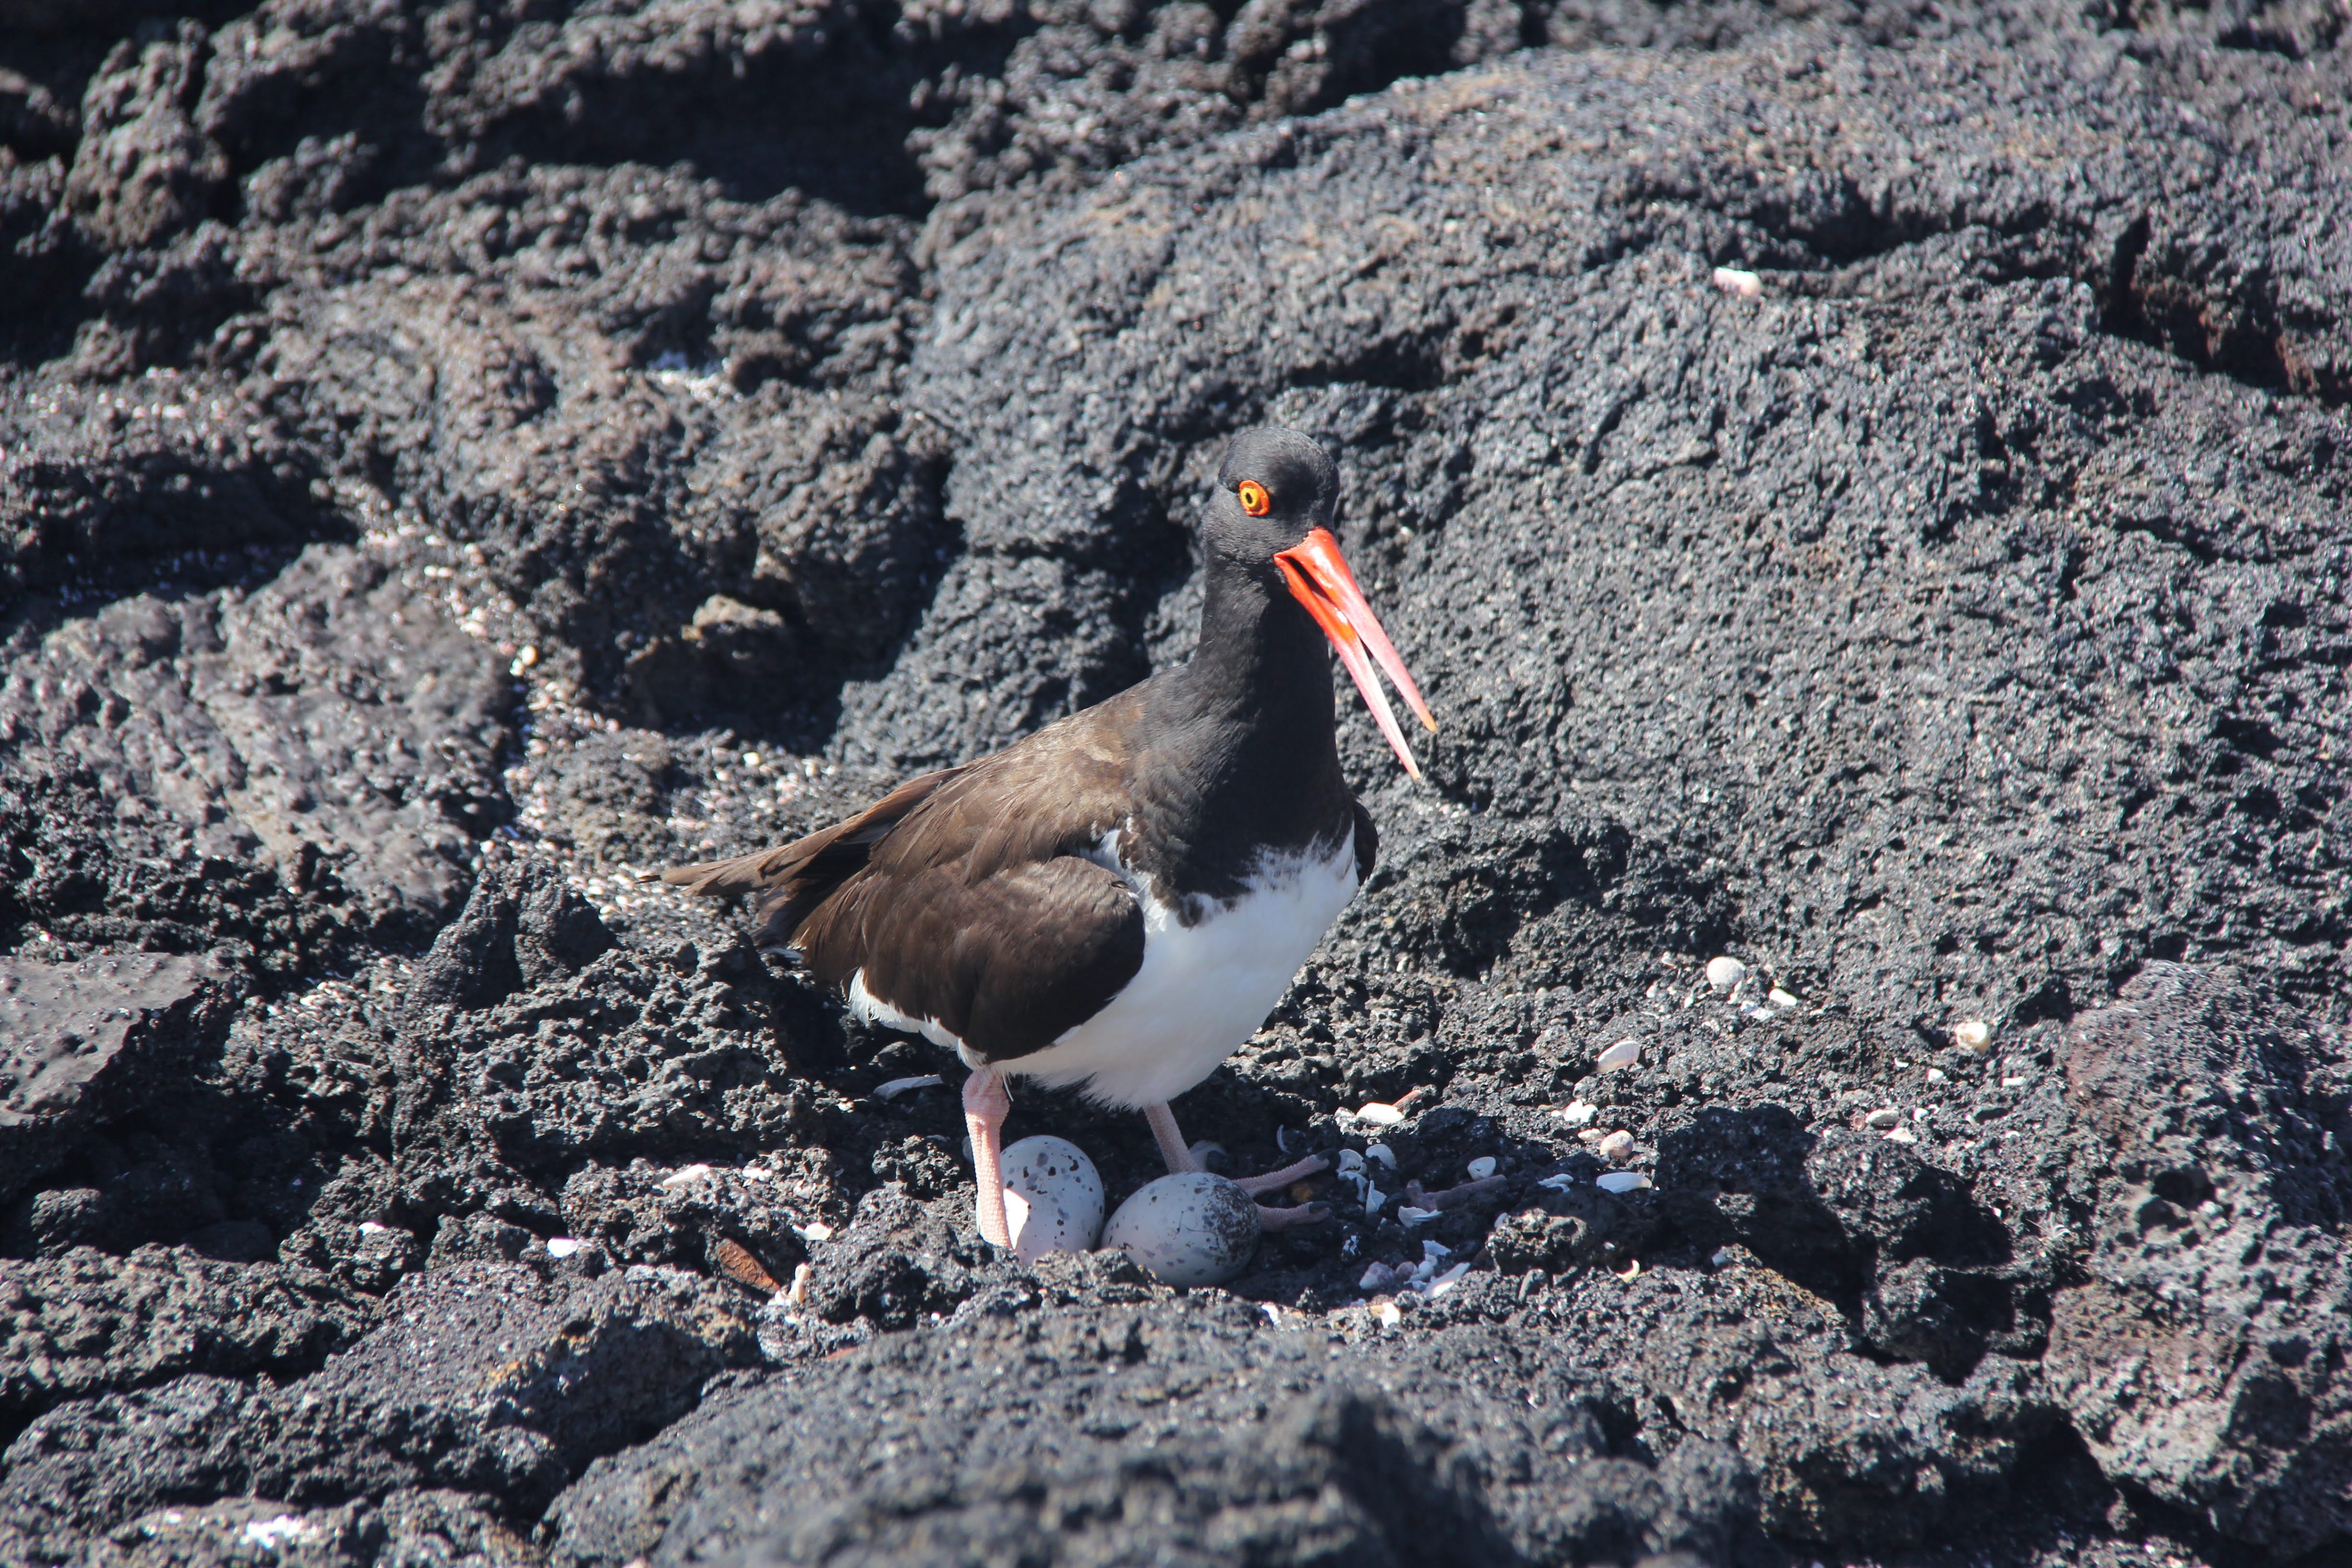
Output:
x=1121 y=899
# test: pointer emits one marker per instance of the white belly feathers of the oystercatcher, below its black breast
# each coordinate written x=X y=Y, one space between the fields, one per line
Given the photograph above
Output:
x=1203 y=989
